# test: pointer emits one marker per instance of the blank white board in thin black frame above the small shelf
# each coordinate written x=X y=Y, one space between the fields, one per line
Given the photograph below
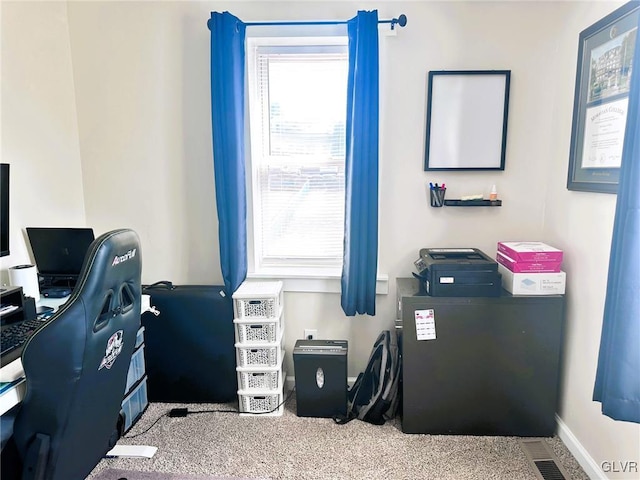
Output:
x=467 y=113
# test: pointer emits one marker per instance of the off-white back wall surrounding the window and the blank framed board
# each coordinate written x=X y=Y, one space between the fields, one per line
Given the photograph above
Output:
x=141 y=72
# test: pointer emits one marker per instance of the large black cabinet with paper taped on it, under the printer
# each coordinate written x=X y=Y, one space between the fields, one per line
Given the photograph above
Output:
x=493 y=368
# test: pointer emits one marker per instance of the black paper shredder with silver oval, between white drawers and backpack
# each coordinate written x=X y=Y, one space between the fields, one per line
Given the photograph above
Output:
x=321 y=377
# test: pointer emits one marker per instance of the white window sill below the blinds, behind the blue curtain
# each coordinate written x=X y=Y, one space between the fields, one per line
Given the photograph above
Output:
x=314 y=282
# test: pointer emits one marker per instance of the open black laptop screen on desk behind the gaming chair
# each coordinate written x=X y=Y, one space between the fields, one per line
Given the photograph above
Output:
x=59 y=253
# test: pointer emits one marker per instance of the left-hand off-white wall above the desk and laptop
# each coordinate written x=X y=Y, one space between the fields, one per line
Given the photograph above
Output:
x=39 y=134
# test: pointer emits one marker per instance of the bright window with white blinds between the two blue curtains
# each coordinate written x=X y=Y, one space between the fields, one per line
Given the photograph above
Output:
x=297 y=111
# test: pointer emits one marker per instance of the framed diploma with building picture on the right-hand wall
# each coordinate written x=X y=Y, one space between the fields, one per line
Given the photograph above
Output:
x=605 y=52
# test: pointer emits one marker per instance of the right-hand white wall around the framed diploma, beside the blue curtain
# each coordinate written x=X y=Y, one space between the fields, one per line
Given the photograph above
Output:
x=581 y=223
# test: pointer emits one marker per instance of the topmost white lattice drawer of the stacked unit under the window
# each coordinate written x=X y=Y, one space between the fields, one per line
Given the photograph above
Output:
x=258 y=300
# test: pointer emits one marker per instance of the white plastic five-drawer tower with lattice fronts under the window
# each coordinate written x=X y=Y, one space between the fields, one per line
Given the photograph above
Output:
x=259 y=330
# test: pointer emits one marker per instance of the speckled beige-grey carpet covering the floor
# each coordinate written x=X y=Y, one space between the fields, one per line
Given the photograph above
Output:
x=291 y=447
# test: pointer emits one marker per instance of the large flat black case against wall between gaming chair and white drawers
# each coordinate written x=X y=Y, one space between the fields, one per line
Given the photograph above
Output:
x=189 y=346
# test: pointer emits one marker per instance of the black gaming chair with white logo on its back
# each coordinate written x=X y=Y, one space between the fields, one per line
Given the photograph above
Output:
x=76 y=367
